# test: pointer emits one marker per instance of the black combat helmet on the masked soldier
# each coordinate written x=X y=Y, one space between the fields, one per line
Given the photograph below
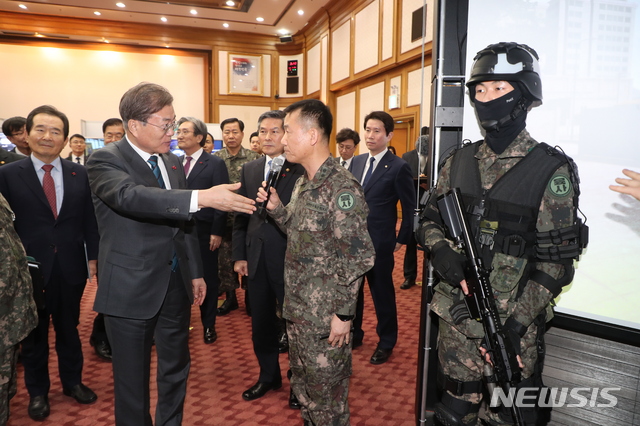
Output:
x=511 y=62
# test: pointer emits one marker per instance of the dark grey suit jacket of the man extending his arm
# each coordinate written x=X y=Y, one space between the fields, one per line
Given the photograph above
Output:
x=141 y=227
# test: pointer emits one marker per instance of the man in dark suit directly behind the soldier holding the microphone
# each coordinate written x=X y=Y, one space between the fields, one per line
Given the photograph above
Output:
x=258 y=251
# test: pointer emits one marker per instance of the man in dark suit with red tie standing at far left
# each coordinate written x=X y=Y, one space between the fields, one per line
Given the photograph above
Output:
x=55 y=221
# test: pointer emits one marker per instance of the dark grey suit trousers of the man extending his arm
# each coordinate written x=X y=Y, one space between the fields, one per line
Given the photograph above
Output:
x=131 y=344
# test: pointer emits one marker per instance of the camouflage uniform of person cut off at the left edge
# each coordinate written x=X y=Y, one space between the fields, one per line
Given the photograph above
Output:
x=18 y=313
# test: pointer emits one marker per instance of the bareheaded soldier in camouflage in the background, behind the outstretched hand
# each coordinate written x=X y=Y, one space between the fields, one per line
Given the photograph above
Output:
x=234 y=156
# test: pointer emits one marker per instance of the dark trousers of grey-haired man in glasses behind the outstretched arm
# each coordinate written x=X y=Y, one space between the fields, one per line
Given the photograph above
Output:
x=209 y=308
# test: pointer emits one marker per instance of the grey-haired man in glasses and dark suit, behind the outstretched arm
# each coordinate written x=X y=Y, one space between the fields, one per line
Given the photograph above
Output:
x=203 y=171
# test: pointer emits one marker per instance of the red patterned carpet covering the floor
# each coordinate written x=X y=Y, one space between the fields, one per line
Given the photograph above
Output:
x=379 y=395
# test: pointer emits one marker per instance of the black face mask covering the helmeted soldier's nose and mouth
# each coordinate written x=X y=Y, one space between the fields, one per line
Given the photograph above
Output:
x=503 y=118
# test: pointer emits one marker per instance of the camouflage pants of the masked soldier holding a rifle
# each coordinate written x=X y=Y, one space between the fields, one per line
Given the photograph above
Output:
x=460 y=359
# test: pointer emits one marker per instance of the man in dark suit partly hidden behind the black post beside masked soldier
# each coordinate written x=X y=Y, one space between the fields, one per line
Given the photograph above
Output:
x=417 y=160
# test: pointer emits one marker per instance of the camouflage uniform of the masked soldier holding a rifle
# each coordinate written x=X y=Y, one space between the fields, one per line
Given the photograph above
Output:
x=458 y=345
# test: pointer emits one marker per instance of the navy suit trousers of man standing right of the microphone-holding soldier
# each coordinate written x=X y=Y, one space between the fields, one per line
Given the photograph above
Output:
x=383 y=293
